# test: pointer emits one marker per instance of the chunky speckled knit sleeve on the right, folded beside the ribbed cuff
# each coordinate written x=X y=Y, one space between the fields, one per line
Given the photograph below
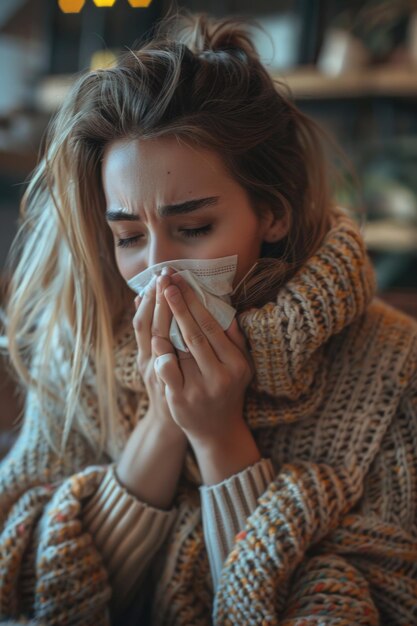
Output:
x=331 y=539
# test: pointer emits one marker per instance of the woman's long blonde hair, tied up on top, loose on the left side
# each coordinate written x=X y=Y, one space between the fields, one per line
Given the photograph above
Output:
x=199 y=79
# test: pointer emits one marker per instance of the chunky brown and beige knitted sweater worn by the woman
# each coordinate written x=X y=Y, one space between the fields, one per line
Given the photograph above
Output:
x=332 y=538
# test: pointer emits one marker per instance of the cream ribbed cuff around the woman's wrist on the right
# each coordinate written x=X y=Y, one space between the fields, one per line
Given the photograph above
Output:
x=226 y=507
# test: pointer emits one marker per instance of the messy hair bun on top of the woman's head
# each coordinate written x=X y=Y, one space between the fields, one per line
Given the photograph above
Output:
x=203 y=34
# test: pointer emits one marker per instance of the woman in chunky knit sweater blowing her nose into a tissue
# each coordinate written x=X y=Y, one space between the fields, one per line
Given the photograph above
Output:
x=264 y=473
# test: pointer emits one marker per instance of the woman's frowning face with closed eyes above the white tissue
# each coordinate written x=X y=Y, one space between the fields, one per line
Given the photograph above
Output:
x=167 y=200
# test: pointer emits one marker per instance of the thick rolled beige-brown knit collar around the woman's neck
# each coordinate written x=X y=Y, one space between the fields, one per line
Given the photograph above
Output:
x=287 y=337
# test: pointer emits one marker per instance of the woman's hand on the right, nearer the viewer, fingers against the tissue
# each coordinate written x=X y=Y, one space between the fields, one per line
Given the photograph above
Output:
x=205 y=388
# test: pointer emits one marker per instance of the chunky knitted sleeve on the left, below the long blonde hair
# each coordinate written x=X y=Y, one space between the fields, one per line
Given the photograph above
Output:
x=49 y=568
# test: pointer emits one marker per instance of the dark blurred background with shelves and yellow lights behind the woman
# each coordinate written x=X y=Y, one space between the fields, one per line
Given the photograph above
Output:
x=351 y=65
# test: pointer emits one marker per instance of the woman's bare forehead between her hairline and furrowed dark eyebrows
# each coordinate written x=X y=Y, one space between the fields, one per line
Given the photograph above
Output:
x=160 y=169
